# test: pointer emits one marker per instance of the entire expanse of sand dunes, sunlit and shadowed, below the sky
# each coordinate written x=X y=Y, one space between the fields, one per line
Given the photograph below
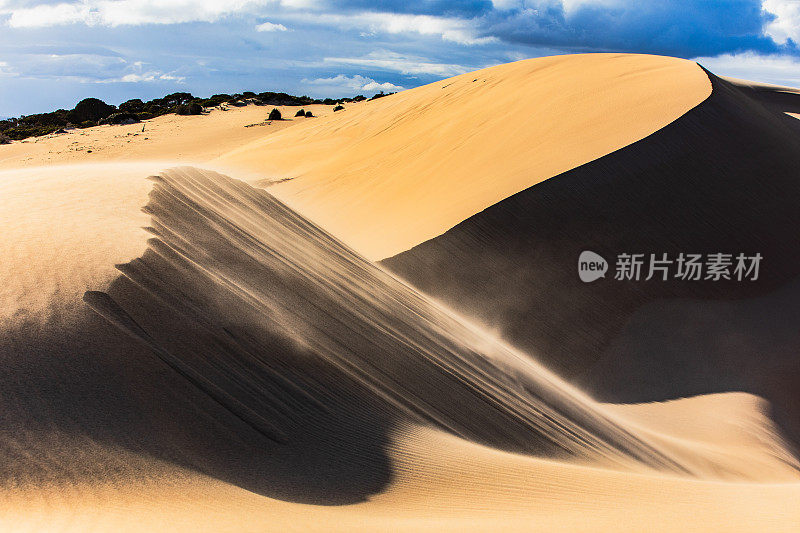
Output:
x=188 y=352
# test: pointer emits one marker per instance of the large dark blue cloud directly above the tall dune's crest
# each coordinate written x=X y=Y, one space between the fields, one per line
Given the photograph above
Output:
x=683 y=28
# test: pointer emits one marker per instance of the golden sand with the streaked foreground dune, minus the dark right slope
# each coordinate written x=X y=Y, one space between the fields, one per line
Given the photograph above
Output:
x=189 y=353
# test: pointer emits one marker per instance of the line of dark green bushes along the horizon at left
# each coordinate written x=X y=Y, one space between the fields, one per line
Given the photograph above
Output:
x=93 y=111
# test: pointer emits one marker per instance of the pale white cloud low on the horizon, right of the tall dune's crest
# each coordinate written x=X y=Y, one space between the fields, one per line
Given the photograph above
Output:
x=777 y=69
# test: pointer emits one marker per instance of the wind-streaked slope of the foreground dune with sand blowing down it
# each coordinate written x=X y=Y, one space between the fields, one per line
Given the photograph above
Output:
x=248 y=301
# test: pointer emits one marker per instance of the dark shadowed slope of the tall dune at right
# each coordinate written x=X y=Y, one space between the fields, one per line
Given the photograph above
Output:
x=725 y=177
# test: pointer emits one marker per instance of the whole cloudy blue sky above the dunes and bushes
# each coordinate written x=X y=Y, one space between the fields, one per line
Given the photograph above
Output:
x=53 y=53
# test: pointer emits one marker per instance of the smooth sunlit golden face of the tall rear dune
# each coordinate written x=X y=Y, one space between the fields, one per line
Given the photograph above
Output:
x=388 y=174
